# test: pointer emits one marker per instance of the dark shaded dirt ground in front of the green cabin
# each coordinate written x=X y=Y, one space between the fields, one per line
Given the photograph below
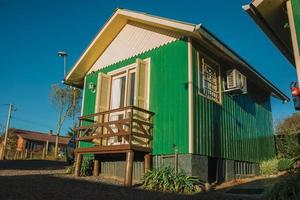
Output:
x=43 y=180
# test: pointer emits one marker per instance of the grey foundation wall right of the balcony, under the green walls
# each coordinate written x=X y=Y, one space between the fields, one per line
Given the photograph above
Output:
x=208 y=169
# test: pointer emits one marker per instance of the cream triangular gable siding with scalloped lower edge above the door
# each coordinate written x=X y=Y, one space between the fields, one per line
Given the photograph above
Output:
x=134 y=39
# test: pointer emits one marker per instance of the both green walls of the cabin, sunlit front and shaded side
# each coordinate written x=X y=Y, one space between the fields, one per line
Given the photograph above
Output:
x=240 y=128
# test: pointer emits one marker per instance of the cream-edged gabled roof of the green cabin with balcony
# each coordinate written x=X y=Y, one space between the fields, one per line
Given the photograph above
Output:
x=121 y=17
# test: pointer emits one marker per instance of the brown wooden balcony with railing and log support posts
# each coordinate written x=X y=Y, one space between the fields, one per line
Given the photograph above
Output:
x=124 y=130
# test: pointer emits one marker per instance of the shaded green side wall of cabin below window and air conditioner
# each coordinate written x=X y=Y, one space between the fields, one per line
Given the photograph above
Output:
x=239 y=129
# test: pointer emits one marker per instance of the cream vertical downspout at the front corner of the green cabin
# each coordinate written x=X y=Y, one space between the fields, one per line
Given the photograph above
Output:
x=191 y=96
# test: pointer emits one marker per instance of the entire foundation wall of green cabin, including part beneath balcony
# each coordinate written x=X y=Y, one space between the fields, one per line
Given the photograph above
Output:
x=207 y=169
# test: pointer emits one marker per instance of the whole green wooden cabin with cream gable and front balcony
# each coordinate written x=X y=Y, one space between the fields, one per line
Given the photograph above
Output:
x=154 y=86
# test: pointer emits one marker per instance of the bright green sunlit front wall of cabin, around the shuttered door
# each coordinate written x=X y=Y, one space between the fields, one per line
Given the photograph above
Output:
x=168 y=95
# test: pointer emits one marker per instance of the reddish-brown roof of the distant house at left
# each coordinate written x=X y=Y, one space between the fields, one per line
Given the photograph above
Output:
x=41 y=137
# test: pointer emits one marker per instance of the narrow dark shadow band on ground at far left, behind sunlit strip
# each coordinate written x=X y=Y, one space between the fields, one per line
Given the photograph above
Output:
x=31 y=164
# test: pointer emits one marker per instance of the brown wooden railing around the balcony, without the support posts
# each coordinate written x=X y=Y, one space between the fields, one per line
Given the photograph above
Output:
x=129 y=127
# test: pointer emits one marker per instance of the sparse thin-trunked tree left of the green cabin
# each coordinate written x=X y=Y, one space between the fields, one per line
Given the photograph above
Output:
x=66 y=100
